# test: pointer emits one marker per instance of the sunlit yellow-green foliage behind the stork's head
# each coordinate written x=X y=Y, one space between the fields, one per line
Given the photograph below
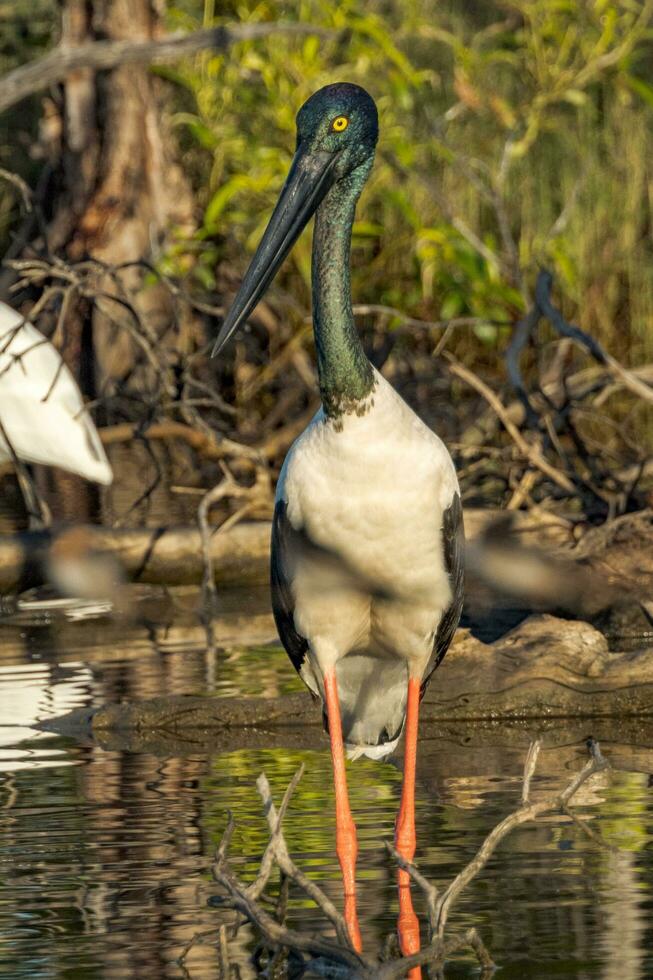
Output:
x=511 y=136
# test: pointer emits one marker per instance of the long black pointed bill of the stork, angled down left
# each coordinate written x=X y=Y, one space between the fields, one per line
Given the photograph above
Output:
x=311 y=175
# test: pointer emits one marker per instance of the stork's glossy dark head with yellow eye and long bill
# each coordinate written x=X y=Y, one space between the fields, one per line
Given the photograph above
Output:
x=337 y=130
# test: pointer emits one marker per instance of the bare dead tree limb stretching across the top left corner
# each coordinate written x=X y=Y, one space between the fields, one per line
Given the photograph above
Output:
x=105 y=55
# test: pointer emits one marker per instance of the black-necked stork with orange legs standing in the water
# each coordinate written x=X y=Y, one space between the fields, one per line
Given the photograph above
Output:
x=367 y=536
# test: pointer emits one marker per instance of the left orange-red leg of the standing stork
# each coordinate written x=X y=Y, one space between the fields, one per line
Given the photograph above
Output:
x=346 y=842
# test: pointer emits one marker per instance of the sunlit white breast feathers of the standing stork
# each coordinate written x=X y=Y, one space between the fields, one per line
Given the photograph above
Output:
x=374 y=493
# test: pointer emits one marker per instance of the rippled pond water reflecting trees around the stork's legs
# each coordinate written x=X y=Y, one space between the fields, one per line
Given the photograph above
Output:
x=107 y=846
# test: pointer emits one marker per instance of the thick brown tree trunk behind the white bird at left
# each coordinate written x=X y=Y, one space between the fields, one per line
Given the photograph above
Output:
x=119 y=191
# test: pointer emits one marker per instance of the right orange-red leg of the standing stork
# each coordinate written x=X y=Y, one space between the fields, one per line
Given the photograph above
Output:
x=405 y=842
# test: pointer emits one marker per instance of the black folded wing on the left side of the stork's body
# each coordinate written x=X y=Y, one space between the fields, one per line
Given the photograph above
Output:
x=285 y=543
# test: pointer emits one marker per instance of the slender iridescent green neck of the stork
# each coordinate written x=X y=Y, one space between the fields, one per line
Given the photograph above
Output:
x=345 y=374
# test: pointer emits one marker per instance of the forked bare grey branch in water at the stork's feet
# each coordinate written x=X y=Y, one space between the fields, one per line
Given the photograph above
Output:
x=337 y=957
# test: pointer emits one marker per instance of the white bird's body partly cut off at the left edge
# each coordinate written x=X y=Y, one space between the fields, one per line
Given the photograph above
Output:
x=42 y=415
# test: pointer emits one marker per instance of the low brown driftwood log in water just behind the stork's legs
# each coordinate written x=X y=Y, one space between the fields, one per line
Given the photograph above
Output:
x=544 y=670
